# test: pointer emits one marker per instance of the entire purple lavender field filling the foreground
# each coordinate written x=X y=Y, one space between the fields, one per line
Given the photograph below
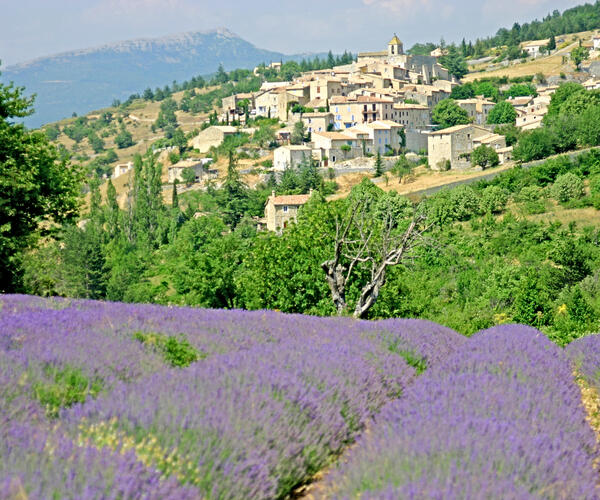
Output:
x=106 y=400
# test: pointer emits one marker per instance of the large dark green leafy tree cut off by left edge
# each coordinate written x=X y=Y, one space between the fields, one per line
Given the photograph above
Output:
x=38 y=187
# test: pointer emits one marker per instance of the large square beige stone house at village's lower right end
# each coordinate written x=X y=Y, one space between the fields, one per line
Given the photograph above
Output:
x=455 y=144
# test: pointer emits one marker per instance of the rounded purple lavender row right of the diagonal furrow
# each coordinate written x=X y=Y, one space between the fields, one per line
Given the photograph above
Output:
x=502 y=418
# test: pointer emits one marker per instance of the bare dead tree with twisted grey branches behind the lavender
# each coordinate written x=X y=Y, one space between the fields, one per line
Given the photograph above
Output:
x=377 y=244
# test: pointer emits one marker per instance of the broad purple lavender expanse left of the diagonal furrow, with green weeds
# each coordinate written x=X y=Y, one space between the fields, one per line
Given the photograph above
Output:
x=273 y=399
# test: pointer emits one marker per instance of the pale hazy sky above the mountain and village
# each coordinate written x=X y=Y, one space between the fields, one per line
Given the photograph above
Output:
x=33 y=28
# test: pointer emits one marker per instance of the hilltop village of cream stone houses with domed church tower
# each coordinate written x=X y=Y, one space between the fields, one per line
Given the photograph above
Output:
x=362 y=117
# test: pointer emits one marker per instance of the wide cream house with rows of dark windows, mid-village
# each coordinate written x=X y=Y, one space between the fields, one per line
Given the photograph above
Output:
x=351 y=111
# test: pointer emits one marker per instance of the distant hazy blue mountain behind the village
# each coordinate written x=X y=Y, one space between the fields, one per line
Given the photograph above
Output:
x=89 y=79
